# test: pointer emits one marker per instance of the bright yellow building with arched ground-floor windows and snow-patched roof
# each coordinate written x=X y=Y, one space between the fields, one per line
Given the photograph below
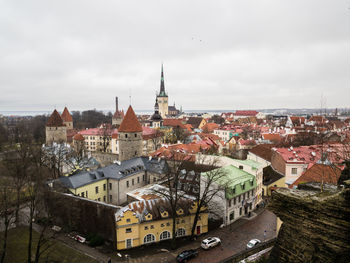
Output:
x=147 y=221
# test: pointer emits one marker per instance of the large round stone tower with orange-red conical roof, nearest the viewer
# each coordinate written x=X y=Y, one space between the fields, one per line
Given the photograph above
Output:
x=130 y=136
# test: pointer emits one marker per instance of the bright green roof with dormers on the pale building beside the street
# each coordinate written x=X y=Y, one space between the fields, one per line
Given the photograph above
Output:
x=237 y=181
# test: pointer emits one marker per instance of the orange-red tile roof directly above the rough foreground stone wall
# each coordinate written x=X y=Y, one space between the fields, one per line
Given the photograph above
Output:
x=319 y=173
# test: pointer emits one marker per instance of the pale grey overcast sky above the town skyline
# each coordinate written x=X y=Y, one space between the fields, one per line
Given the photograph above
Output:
x=235 y=54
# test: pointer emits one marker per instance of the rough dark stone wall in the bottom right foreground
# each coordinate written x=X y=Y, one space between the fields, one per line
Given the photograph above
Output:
x=316 y=226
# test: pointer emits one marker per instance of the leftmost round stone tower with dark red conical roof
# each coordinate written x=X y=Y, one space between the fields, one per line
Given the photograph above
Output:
x=56 y=130
